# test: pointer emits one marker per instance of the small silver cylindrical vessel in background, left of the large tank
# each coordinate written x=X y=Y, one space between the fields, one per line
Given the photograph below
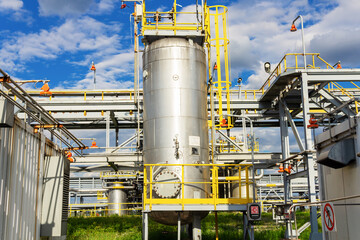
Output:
x=117 y=198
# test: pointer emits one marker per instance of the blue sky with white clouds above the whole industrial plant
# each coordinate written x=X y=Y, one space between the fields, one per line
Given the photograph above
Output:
x=57 y=40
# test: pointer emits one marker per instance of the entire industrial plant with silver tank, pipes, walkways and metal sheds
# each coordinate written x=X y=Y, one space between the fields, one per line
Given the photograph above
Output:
x=193 y=149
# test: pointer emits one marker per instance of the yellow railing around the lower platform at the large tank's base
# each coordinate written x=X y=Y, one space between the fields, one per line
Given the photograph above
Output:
x=210 y=197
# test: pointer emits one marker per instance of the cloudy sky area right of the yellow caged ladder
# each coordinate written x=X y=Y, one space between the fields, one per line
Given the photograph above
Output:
x=259 y=32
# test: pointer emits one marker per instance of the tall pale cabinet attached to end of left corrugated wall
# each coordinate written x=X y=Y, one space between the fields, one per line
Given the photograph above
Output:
x=55 y=197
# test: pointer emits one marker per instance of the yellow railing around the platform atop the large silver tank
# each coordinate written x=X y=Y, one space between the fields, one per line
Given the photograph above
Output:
x=157 y=20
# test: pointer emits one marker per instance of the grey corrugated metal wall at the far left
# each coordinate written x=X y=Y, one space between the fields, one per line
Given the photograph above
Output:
x=21 y=158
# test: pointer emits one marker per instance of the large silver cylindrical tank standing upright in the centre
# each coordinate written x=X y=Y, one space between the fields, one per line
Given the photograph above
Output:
x=175 y=119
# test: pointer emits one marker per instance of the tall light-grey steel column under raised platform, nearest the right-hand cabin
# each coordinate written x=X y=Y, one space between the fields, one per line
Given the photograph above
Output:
x=308 y=158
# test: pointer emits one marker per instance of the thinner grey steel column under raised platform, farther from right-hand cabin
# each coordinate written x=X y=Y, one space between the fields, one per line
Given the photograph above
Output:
x=285 y=150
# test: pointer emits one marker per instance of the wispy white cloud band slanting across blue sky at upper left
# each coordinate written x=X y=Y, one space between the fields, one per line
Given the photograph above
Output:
x=83 y=34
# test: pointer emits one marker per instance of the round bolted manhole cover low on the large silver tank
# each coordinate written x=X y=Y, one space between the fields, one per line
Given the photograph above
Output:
x=167 y=184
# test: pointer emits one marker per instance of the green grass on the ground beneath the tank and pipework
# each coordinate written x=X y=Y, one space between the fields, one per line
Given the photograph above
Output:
x=129 y=228
